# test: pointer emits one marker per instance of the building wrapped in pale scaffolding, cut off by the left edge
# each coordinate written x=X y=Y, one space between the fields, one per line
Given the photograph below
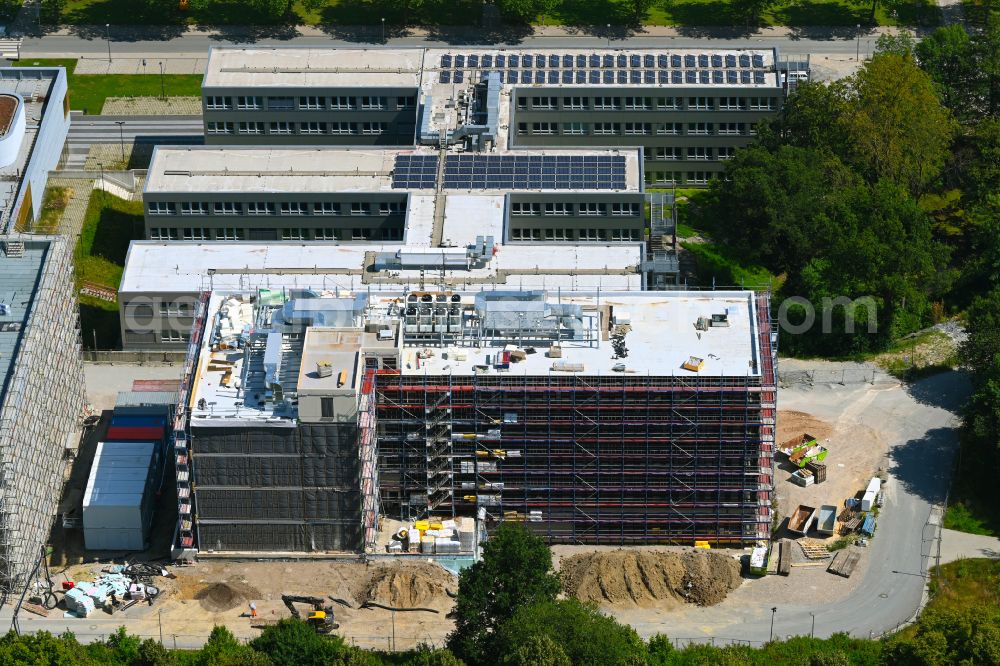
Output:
x=41 y=395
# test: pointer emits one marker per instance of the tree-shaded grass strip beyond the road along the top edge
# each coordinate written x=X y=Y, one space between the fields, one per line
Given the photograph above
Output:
x=468 y=12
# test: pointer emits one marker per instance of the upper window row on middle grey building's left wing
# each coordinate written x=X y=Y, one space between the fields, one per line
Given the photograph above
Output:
x=364 y=208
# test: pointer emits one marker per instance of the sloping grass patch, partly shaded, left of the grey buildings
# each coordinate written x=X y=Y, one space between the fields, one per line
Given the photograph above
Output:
x=109 y=226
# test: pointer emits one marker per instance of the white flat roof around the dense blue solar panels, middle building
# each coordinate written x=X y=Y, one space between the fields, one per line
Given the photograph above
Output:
x=295 y=170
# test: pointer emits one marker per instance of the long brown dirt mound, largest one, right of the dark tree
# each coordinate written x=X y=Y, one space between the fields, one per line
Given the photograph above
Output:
x=630 y=577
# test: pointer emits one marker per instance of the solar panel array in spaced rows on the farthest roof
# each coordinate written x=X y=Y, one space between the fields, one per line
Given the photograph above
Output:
x=608 y=68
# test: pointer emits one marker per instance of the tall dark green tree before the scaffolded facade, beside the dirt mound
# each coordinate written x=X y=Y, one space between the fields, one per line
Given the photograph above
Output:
x=515 y=570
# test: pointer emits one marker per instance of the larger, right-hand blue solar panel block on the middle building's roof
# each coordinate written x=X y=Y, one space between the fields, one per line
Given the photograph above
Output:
x=534 y=172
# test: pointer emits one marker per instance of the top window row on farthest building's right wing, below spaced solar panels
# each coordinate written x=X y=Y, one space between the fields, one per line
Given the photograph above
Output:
x=551 y=103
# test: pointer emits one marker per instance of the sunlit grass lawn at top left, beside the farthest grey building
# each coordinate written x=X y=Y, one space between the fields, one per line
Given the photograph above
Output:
x=87 y=92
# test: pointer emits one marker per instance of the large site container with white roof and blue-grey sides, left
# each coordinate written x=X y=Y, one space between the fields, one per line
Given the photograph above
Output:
x=121 y=492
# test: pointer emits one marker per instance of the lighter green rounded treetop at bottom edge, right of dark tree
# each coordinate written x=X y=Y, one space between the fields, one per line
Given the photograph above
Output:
x=586 y=636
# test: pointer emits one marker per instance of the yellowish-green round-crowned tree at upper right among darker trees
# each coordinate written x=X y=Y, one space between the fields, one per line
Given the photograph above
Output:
x=896 y=122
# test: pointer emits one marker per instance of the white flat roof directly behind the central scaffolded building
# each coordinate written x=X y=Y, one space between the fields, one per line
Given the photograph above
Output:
x=192 y=266
